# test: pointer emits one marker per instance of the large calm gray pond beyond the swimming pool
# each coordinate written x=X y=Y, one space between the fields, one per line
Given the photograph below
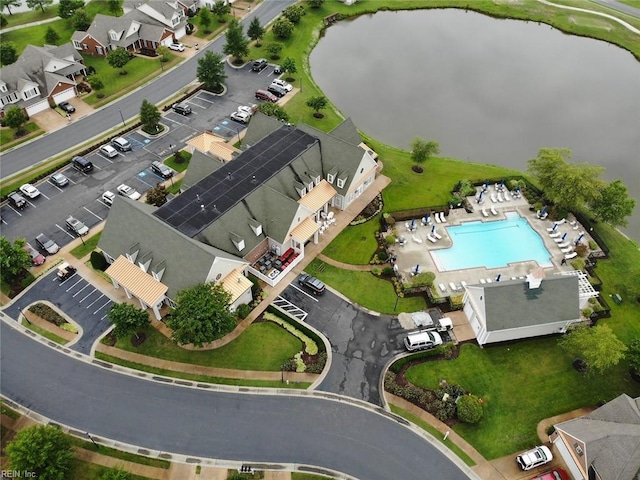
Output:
x=488 y=90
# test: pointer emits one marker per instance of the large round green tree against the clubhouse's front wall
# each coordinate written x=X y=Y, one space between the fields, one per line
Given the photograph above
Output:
x=202 y=315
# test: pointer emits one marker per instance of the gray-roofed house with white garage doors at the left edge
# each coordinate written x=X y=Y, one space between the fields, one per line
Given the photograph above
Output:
x=41 y=77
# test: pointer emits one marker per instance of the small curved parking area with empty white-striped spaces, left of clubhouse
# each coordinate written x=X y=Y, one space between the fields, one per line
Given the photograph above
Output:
x=77 y=298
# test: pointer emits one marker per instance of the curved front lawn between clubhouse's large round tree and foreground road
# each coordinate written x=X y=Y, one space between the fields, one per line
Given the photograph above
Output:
x=263 y=346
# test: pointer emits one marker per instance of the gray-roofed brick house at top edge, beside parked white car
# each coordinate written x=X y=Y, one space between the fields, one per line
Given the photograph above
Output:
x=145 y=25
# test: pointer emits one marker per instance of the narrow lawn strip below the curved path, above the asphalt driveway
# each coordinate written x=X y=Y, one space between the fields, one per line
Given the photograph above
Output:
x=364 y=289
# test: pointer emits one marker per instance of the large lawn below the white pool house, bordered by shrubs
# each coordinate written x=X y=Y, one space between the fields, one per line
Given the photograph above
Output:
x=521 y=384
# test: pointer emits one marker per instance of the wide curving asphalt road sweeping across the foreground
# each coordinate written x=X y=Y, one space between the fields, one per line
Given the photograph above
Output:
x=251 y=428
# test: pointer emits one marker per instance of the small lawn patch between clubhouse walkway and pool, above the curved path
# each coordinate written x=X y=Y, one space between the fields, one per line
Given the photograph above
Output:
x=355 y=244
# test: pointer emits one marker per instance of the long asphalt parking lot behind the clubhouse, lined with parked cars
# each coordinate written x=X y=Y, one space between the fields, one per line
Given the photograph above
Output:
x=82 y=197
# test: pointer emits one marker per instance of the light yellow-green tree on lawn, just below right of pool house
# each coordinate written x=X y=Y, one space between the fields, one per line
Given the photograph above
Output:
x=597 y=346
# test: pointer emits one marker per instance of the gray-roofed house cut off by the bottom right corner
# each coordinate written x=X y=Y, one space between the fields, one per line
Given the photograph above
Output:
x=604 y=444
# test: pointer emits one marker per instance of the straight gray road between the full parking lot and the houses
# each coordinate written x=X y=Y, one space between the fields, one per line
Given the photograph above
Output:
x=104 y=119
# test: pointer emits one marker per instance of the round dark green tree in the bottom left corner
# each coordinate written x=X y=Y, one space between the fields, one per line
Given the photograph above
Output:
x=43 y=450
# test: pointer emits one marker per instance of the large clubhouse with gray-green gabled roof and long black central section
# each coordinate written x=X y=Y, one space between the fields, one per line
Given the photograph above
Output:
x=258 y=210
